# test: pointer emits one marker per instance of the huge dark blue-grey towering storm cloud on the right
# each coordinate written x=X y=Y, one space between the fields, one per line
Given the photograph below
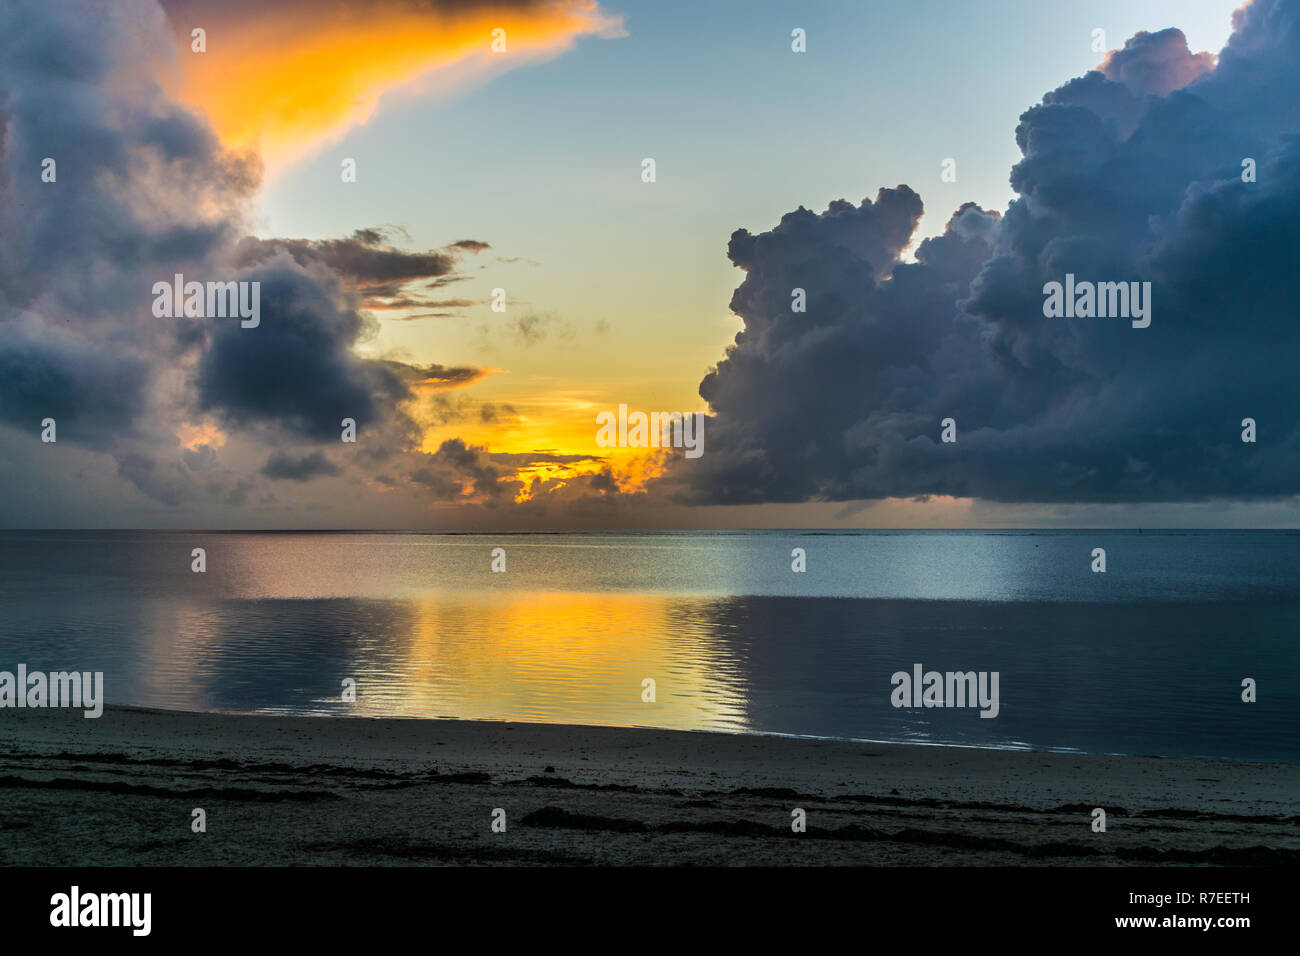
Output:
x=1132 y=174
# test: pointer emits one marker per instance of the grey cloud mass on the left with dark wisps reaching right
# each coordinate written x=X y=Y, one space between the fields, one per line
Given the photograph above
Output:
x=146 y=191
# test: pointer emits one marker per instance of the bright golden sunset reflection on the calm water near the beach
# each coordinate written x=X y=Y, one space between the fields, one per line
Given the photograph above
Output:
x=558 y=657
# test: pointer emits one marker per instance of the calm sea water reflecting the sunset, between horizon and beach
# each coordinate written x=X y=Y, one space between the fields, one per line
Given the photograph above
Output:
x=1146 y=659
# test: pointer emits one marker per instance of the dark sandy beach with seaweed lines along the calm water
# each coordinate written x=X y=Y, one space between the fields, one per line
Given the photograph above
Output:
x=281 y=790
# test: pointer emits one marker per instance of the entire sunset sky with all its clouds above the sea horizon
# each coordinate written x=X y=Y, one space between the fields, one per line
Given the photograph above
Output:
x=521 y=170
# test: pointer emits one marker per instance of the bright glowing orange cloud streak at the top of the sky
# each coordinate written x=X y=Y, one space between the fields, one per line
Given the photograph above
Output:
x=285 y=79
